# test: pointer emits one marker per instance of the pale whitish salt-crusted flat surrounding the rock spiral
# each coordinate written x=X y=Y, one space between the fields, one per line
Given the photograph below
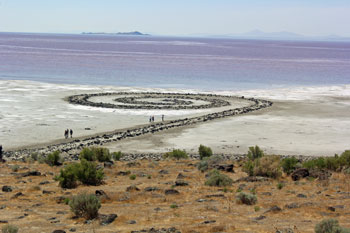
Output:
x=305 y=120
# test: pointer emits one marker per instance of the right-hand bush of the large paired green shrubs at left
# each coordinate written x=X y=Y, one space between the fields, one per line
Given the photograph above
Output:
x=89 y=174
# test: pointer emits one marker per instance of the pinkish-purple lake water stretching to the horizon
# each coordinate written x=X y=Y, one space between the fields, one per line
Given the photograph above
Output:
x=171 y=62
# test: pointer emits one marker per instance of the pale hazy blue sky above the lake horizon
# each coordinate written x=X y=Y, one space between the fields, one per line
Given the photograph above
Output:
x=177 y=17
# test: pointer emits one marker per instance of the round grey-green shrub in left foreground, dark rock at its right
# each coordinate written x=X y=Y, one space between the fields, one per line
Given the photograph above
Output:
x=85 y=205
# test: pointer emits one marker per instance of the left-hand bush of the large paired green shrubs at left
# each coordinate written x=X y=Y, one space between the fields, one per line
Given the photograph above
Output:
x=68 y=176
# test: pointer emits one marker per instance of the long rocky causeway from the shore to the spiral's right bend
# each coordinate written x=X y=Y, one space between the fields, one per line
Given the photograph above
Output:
x=72 y=148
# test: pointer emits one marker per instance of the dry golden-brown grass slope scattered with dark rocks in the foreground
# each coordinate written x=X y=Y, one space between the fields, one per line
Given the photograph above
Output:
x=153 y=209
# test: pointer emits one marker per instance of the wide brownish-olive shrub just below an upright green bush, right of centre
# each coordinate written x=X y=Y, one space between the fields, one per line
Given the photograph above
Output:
x=268 y=166
